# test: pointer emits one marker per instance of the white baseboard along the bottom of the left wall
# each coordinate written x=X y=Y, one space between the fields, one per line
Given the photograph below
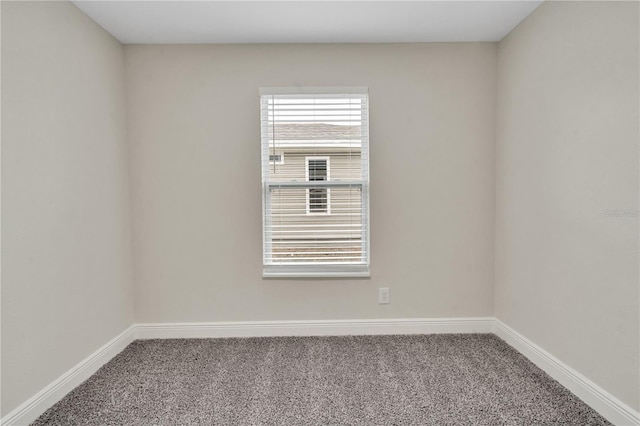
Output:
x=31 y=409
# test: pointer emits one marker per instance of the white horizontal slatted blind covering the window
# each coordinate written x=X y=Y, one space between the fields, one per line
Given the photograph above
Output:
x=316 y=203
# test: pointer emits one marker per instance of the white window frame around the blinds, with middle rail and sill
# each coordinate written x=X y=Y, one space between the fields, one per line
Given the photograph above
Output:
x=319 y=270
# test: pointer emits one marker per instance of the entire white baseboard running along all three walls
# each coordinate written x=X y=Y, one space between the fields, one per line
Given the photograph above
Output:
x=593 y=395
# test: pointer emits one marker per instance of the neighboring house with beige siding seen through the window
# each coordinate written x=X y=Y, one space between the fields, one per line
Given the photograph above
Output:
x=316 y=223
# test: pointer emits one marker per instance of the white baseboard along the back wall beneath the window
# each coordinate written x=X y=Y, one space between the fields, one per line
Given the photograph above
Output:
x=314 y=328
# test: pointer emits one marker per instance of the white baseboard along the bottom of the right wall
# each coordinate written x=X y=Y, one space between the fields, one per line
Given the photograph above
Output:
x=593 y=395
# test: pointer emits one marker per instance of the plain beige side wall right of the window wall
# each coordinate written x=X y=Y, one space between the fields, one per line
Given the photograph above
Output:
x=567 y=154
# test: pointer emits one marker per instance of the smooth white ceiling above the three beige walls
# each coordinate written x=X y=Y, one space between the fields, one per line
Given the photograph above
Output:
x=238 y=21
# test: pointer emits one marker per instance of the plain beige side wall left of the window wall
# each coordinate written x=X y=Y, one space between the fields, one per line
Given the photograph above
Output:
x=66 y=255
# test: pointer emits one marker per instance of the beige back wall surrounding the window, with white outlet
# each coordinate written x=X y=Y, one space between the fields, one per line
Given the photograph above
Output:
x=195 y=143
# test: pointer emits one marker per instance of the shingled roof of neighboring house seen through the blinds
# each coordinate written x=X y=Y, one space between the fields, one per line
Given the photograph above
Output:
x=314 y=134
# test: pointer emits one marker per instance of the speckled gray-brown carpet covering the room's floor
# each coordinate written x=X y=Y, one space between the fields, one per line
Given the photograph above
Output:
x=370 y=380
